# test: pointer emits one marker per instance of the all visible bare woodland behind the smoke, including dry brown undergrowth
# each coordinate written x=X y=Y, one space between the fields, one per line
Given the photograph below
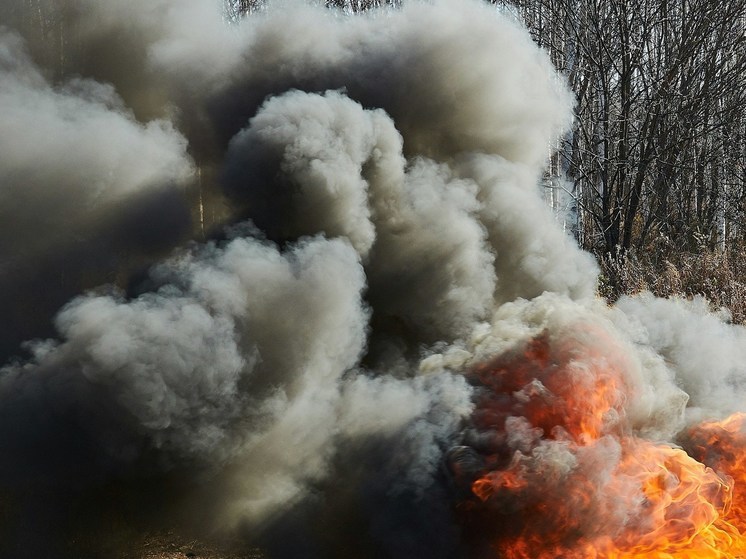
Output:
x=652 y=176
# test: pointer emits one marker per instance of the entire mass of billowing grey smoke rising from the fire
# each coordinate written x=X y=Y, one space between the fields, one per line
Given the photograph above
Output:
x=378 y=343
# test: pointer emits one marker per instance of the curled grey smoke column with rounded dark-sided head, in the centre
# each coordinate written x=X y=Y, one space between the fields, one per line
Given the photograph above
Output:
x=342 y=172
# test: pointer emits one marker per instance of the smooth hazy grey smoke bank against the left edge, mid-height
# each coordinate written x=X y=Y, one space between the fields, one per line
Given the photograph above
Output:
x=84 y=187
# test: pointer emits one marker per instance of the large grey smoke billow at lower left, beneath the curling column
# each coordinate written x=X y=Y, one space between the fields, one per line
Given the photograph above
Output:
x=241 y=363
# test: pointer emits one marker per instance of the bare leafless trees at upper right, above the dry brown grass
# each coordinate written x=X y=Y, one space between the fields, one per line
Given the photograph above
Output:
x=657 y=148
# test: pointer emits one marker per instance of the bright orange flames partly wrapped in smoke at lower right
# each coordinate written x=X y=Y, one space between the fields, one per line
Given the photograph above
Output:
x=564 y=476
